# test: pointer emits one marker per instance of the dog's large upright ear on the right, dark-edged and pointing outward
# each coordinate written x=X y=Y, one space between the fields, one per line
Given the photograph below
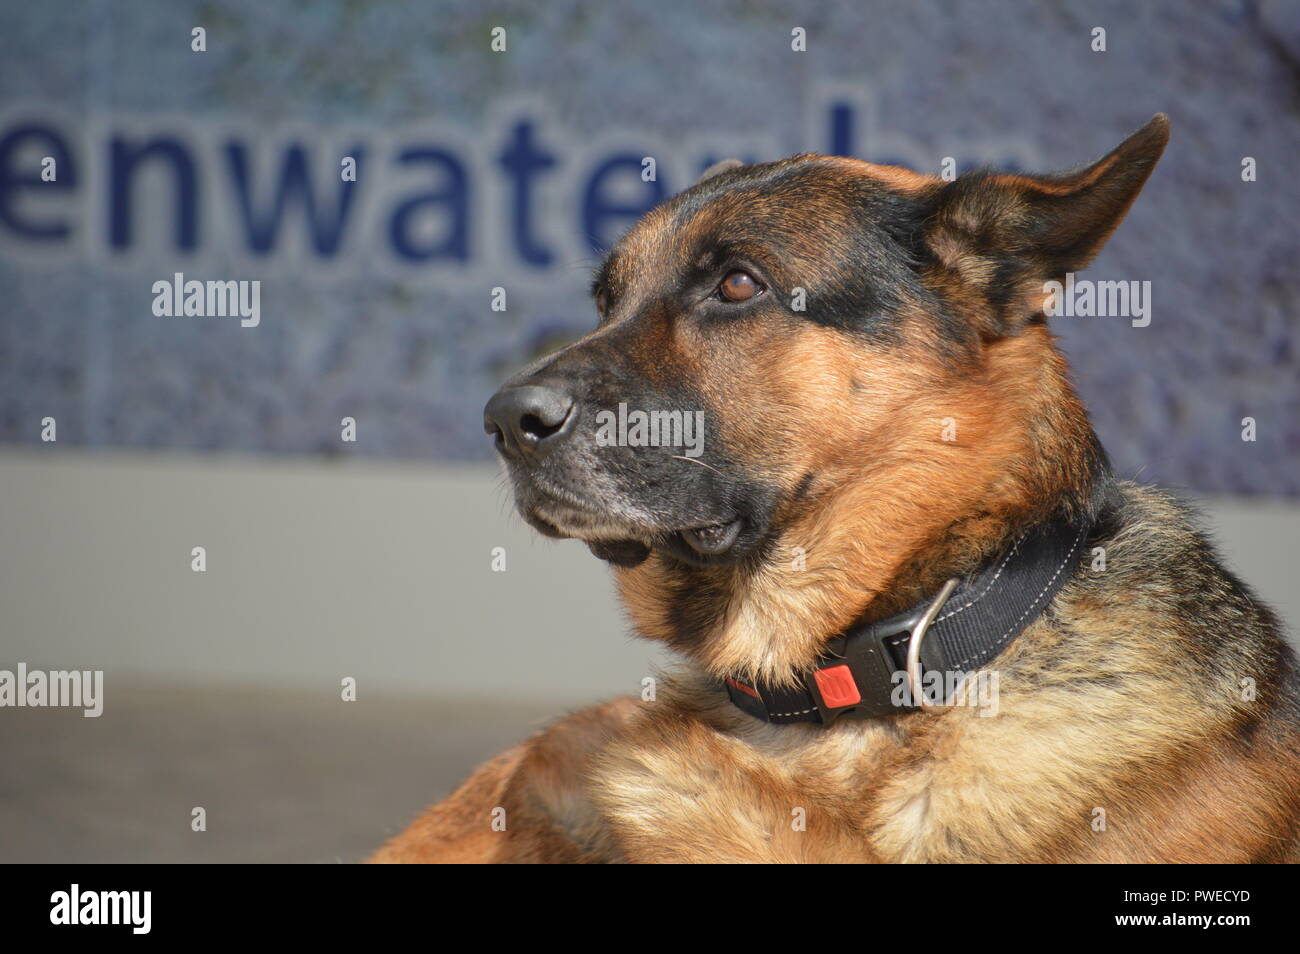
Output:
x=1008 y=236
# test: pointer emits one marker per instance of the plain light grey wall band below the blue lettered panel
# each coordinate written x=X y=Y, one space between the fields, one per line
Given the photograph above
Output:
x=375 y=571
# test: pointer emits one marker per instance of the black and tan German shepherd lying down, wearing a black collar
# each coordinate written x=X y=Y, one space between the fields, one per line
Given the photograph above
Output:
x=899 y=484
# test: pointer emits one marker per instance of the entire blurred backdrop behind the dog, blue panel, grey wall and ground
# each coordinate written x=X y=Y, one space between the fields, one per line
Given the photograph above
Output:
x=480 y=170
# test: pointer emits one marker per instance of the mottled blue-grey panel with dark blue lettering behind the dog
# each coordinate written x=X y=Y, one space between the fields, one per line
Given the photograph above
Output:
x=398 y=332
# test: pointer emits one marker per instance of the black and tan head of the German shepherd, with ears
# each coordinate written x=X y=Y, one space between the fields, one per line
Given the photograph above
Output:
x=779 y=335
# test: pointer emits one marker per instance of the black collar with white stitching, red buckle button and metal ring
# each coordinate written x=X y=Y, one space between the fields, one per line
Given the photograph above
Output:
x=865 y=671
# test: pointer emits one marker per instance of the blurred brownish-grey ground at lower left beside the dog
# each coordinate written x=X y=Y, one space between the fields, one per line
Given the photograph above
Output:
x=284 y=777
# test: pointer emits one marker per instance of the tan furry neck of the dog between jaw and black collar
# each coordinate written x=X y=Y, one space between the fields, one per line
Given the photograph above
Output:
x=870 y=544
